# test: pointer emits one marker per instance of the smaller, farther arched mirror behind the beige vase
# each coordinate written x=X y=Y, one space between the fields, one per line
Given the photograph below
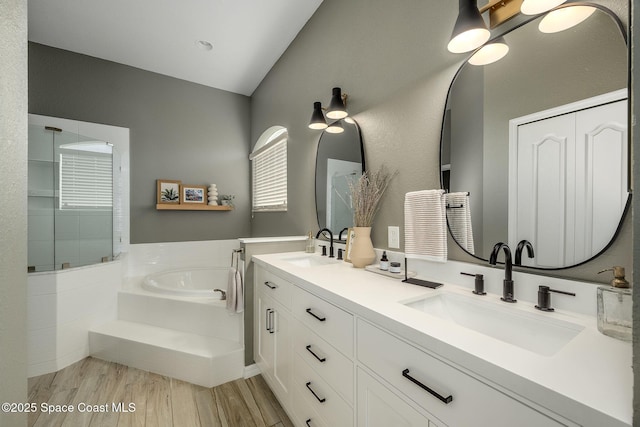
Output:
x=340 y=158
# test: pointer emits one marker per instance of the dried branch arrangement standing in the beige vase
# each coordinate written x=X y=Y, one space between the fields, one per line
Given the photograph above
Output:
x=366 y=193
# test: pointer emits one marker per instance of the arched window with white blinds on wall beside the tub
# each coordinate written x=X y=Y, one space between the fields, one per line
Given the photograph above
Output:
x=269 y=171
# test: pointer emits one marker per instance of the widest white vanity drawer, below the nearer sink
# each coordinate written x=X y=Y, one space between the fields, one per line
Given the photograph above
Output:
x=462 y=399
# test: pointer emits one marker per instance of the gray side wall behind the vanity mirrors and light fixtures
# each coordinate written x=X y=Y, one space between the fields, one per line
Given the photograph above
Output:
x=393 y=63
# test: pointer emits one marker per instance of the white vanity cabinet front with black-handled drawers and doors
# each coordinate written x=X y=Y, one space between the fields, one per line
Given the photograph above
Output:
x=330 y=367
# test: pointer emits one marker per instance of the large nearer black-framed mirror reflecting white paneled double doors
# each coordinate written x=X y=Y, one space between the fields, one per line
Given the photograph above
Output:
x=538 y=141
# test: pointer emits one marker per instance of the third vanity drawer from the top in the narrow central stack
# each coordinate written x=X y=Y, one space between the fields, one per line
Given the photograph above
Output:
x=332 y=409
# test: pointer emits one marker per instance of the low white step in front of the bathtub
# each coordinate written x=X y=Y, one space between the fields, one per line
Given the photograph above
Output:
x=198 y=359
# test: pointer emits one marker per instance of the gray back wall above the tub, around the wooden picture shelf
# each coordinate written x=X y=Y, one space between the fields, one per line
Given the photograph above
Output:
x=179 y=130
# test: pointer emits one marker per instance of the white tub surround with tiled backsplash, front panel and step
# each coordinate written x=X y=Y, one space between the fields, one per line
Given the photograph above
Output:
x=190 y=338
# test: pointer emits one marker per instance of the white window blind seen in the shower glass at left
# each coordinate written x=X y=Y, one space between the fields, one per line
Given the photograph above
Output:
x=85 y=181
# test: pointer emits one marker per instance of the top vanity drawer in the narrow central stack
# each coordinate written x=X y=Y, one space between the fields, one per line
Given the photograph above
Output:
x=331 y=323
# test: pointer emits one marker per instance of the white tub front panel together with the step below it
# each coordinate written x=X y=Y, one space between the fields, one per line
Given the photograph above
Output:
x=191 y=339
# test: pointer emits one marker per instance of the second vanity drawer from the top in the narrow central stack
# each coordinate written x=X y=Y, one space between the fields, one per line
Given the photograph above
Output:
x=332 y=366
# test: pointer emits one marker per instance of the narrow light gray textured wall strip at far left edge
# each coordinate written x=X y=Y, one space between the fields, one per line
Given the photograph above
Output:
x=13 y=209
